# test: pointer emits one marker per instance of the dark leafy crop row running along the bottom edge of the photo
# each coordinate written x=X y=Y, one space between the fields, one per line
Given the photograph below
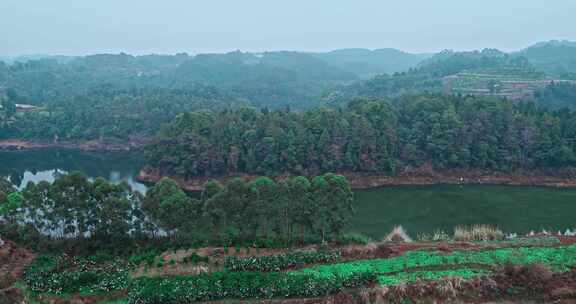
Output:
x=238 y=285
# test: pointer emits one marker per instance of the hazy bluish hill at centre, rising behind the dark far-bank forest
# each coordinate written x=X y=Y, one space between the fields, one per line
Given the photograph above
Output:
x=268 y=79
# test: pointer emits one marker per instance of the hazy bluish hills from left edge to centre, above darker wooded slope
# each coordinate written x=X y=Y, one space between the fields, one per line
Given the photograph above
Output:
x=273 y=79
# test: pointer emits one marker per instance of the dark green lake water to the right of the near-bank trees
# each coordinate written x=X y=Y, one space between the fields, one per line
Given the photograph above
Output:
x=426 y=208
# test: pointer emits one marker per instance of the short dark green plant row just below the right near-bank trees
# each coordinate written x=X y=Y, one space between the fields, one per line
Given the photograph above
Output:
x=279 y=262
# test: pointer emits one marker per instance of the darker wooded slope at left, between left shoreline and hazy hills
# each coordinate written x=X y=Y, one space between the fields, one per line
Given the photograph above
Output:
x=108 y=113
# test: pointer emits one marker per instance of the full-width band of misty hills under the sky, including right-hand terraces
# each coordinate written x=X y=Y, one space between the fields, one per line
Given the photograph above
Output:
x=297 y=79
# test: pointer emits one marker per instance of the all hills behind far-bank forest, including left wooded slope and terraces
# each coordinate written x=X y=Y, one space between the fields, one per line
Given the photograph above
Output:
x=123 y=97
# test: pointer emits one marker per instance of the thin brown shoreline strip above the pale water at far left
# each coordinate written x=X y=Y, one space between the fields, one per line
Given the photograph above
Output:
x=87 y=146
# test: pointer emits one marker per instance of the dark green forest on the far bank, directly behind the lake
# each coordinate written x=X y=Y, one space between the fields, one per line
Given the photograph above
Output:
x=367 y=136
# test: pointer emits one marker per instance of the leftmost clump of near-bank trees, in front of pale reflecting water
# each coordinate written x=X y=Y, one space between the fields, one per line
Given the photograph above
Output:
x=76 y=206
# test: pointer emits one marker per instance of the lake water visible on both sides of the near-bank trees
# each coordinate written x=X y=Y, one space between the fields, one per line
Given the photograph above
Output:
x=418 y=209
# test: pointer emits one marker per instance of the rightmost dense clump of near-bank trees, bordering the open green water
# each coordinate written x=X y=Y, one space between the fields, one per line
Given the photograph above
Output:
x=263 y=211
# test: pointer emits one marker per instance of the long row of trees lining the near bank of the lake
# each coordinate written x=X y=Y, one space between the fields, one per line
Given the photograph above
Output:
x=262 y=210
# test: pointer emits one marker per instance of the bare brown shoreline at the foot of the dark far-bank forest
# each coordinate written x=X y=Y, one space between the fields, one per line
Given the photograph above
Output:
x=564 y=178
